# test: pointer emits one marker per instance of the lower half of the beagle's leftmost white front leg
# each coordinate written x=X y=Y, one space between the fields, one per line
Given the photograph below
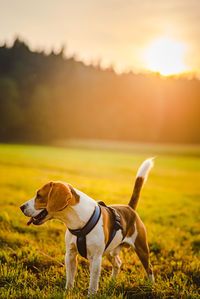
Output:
x=70 y=263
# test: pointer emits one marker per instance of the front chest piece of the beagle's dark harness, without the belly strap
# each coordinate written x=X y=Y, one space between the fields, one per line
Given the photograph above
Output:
x=81 y=233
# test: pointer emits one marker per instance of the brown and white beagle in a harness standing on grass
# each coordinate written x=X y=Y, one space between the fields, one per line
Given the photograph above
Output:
x=93 y=229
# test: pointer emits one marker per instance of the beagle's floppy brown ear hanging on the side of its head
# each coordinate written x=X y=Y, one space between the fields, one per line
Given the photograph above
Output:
x=59 y=197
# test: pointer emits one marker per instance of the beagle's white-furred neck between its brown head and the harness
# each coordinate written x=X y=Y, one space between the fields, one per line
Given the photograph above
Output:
x=75 y=217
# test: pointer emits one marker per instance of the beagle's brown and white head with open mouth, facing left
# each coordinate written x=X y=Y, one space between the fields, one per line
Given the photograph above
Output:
x=52 y=198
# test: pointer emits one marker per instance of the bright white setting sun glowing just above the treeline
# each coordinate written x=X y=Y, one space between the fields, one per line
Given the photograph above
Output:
x=166 y=56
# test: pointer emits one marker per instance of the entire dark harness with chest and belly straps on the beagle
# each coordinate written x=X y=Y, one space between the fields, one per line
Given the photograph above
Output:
x=81 y=233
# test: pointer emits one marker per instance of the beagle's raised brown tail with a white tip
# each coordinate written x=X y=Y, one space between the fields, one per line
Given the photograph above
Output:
x=141 y=178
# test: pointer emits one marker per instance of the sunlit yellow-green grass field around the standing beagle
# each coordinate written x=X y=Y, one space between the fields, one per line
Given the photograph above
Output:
x=32 y=258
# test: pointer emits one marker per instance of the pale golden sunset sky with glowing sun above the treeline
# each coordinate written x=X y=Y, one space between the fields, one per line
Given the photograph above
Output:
x=128 y=34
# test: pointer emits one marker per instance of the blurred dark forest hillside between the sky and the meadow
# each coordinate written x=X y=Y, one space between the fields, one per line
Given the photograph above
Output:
x=47 y=97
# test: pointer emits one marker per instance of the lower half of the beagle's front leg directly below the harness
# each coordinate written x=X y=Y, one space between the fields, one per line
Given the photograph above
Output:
x=95 y=270
